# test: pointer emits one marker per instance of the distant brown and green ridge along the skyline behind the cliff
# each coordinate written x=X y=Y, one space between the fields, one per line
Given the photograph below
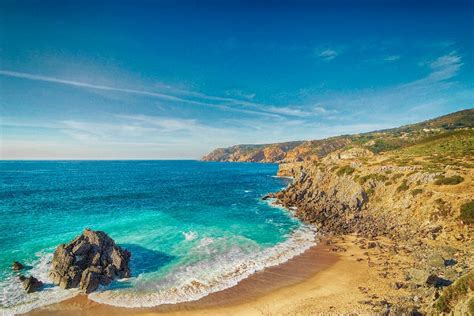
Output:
x=377 y=141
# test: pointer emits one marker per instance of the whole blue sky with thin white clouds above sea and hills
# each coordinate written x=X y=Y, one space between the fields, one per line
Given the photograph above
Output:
x=176 y=79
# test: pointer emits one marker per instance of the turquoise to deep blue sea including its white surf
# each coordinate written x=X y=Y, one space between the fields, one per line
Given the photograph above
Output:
x=192 y=227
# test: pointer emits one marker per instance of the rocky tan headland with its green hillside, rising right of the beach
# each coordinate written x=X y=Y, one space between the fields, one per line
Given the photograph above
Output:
x=405 y=197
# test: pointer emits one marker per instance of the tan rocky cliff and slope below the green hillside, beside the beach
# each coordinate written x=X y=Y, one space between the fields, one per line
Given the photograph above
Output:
x=422 y=248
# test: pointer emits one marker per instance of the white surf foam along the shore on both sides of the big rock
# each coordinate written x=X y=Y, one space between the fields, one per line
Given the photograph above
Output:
x=224 y=265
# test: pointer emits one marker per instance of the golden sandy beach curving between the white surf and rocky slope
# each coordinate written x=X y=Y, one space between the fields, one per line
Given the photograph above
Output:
x=333 y=277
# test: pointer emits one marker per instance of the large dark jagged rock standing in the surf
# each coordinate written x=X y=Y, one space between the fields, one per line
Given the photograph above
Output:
x=90 y=260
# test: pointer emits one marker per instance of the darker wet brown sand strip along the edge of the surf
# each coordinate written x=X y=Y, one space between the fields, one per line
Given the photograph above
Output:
x=295 y=271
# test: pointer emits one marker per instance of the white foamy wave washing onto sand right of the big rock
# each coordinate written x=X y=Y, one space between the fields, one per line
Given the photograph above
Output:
x=221 y=271
